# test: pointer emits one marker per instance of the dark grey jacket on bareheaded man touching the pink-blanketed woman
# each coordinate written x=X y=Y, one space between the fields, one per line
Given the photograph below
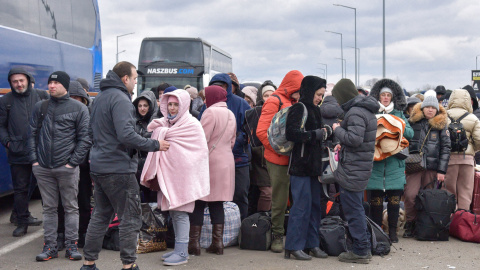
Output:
x=113 y=127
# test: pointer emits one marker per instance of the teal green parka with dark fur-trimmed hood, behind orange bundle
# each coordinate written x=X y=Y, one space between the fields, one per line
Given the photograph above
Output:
x=389 y=174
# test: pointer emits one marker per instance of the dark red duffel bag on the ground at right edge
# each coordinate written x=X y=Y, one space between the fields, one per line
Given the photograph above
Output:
x=465 y=226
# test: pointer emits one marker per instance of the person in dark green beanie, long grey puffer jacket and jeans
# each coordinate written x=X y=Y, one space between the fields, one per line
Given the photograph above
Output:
x=356 y=134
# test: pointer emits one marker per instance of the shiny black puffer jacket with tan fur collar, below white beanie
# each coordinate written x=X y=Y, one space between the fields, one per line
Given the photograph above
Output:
x=437 y=146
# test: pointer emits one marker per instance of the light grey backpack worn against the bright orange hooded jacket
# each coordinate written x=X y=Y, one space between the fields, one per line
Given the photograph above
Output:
x=277 y=131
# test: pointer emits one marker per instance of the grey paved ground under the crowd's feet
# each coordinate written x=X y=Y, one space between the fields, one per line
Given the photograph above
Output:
x=19 y=253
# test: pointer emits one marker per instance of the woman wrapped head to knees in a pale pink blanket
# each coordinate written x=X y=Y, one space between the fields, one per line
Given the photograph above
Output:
x=181 y=174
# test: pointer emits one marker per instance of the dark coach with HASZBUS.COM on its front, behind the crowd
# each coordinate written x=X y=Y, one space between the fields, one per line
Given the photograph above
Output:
x=179 y=61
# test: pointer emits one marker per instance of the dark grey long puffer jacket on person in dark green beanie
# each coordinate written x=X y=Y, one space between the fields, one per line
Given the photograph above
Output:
x=357 y=134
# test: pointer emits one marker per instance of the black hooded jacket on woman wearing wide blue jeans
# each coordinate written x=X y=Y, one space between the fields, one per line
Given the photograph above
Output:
x=306 y=158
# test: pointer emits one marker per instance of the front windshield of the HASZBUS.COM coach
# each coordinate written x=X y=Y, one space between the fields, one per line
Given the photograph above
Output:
x=171 y=51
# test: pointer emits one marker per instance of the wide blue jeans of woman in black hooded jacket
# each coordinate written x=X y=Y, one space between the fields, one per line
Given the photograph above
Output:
x=305 y=214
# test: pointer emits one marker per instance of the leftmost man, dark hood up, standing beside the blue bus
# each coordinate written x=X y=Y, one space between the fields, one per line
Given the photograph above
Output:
x=15 y=114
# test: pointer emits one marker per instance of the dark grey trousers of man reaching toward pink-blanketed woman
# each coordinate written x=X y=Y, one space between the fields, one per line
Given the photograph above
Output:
x=115 y=193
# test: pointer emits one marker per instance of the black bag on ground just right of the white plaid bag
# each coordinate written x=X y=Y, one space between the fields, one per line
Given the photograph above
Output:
x=256 y=232
